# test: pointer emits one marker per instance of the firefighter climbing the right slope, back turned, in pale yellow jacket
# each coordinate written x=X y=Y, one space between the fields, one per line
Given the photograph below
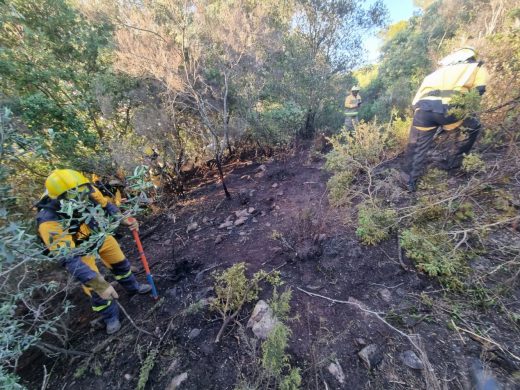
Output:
x=459 y=73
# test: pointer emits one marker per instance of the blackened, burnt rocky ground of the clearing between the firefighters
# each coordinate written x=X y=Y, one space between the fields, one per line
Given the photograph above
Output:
x=362 y=317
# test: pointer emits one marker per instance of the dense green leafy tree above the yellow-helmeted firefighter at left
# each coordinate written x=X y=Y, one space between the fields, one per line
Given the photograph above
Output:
x=50 y=58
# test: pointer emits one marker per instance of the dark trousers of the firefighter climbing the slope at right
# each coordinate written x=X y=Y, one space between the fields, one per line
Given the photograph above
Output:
x=420 y=141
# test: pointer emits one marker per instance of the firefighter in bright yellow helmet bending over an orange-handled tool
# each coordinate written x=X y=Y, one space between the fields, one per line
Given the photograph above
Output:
x=66 y=185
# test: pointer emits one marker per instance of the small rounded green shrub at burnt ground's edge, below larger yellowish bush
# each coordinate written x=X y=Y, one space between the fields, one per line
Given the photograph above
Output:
x=374 y=223
